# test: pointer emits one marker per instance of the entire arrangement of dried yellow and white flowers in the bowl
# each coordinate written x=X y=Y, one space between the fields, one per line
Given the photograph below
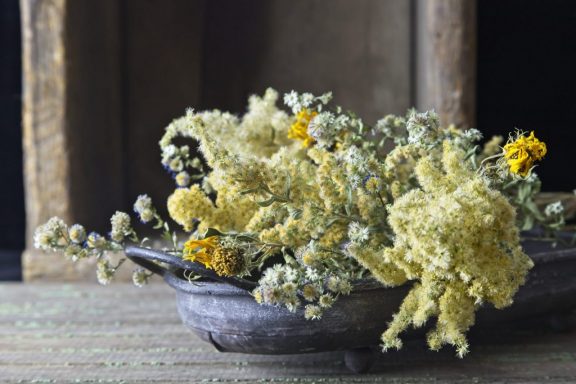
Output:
x=309 y=201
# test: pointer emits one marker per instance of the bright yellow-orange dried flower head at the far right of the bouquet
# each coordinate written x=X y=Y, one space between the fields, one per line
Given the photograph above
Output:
x=523 y=152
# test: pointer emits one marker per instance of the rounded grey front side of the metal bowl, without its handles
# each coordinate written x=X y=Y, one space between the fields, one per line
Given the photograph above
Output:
x=232 y=321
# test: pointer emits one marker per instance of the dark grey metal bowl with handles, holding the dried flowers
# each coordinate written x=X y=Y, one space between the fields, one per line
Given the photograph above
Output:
x=225 y=314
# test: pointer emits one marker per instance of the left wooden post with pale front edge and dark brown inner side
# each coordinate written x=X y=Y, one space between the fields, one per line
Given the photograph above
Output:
x=72 y=136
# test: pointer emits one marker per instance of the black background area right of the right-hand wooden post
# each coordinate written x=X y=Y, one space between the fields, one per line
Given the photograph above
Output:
x=527 y=78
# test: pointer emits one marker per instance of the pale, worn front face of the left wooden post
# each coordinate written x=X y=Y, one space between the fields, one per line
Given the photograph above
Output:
x=45 y=143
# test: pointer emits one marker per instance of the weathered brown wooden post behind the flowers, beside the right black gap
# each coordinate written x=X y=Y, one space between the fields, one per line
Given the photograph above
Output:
x=446 y=59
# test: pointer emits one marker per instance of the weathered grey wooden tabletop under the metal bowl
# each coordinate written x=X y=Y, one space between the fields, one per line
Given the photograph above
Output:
x=54 y=333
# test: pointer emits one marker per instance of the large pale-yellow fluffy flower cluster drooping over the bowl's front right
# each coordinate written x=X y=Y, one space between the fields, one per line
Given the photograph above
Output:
x=456 y=236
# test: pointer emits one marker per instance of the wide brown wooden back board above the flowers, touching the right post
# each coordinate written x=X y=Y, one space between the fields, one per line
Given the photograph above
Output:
x=361 y=51
